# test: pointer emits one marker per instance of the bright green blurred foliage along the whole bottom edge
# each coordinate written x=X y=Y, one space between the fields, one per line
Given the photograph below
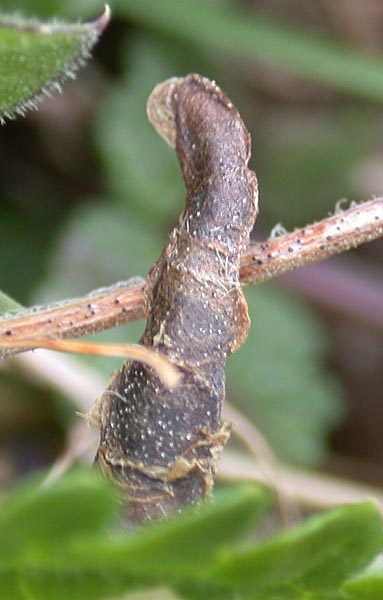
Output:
x=59 y=542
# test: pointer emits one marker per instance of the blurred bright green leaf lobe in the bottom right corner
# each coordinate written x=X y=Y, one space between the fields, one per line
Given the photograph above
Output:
x=317 y=556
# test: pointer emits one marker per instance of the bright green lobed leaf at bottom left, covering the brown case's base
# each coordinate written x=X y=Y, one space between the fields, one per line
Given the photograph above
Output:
x=56 y=542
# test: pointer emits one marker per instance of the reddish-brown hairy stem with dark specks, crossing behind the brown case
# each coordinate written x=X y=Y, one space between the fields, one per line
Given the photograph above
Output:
x=123 y=303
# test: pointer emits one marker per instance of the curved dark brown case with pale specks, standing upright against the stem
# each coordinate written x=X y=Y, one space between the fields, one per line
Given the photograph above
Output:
x=160 y=444
